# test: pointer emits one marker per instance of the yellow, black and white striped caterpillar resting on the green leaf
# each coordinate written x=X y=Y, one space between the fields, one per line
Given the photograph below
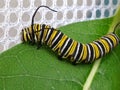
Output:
x=66 y=47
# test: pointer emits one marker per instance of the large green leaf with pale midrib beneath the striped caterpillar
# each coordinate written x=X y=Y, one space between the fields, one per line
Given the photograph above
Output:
x=23 y=67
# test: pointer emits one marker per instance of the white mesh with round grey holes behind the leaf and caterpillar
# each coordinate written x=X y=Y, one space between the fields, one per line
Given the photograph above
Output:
x=17 y=14
